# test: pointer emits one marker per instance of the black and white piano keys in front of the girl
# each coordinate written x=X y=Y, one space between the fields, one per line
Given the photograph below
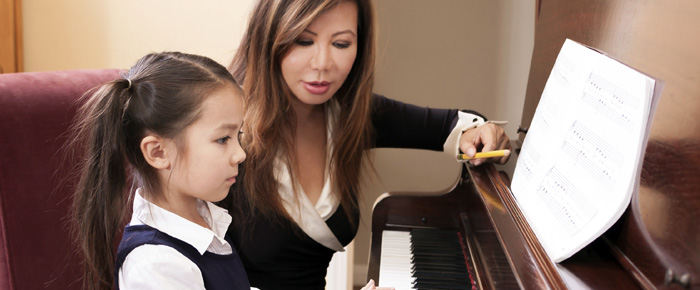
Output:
x=424 y=259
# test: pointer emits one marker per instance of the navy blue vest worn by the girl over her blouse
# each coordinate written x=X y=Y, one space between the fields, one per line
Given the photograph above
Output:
x=218 y=271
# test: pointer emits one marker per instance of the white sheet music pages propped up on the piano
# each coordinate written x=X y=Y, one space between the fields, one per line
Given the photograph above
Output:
x=581 y=158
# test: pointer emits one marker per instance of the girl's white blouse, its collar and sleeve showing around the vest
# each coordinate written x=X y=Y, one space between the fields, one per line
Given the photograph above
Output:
x=162 y=267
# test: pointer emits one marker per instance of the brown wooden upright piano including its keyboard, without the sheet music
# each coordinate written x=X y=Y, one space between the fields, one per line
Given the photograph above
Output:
x=475 y=237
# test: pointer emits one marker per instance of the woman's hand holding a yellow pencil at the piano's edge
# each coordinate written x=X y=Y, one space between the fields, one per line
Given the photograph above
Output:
x=488 y=137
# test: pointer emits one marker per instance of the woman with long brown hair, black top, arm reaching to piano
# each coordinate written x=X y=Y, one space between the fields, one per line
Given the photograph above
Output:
x=307 y=68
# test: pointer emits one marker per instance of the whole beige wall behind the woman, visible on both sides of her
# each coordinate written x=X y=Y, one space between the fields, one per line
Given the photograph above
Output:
x=446 y=53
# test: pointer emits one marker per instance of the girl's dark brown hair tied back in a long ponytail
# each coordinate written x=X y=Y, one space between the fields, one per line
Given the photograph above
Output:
x=161 y=95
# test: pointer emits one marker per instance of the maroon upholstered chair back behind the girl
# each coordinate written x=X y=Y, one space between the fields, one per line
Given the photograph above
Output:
x=36 y=109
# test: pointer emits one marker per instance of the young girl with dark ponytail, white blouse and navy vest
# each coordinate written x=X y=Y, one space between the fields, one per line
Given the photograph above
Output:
x=170 y=128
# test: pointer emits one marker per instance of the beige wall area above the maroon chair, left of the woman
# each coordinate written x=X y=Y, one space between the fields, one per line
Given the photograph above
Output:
x=74 y=34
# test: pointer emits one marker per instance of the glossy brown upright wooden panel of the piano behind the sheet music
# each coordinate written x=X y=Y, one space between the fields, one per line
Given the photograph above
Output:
x=660 y=233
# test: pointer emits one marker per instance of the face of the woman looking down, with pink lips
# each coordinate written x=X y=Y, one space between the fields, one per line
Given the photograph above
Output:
x=319 y=62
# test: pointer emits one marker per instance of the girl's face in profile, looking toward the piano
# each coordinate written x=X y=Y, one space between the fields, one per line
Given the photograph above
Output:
x=209 y=166
